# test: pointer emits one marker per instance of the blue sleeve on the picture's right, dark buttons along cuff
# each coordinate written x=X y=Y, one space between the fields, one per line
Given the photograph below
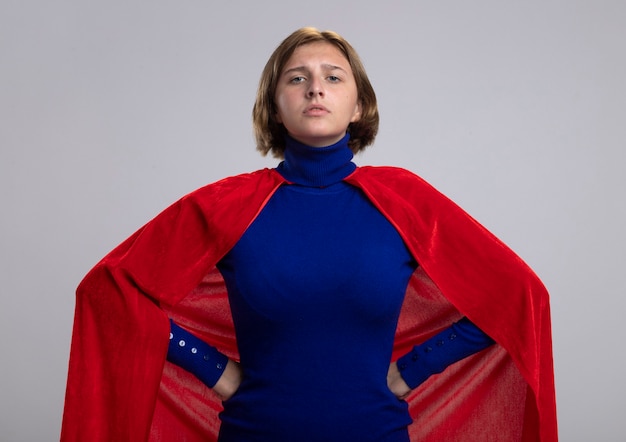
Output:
x=460 y=340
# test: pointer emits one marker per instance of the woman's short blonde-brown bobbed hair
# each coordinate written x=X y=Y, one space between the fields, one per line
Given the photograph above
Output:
x=269 y=133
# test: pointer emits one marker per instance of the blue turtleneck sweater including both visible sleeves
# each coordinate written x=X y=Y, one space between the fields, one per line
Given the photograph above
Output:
x=315 y=286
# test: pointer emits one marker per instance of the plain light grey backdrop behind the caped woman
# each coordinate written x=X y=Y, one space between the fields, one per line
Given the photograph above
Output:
x=111 y=110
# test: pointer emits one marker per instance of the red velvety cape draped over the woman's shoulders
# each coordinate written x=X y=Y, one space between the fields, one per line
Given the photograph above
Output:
x=120 y=388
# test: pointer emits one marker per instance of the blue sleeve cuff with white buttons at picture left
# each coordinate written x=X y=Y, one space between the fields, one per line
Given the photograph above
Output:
x=195 y=355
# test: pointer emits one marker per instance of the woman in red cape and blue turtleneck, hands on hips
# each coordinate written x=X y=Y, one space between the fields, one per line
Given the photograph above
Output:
x=316 y=301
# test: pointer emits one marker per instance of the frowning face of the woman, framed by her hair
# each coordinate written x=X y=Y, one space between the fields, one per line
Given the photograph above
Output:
x=316 y=95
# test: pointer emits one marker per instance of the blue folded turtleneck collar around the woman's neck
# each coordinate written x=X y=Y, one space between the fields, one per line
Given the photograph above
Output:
x=316 y=166
